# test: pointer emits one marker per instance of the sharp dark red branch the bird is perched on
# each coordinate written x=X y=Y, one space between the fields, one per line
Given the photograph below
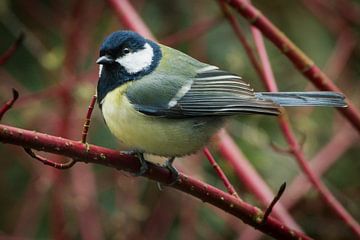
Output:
x=104 y=156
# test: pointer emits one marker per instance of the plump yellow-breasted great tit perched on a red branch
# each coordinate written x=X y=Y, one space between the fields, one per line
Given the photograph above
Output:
x=158 y=100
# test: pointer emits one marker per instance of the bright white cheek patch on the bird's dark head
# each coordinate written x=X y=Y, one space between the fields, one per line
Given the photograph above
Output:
x=137 y=61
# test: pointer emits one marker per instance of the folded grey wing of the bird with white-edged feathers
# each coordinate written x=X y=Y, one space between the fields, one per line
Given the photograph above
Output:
x=212 y=92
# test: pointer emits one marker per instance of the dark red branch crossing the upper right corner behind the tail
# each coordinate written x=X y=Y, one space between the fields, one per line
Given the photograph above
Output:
x=301 y=61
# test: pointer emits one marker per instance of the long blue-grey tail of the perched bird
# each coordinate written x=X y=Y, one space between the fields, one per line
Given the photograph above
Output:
x=294 y=99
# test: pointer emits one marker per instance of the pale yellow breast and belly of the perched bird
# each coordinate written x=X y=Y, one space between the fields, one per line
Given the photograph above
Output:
x=155 y=135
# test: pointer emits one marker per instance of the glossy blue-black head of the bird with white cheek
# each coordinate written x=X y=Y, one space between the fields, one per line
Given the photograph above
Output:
x=125 y=56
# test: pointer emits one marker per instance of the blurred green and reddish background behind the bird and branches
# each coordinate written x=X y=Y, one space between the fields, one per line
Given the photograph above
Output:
x=94 y=202
